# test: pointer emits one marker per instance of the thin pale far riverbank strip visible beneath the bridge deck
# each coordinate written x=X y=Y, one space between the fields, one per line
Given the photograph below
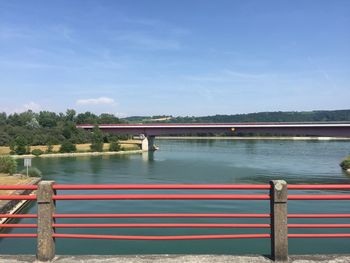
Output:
x=289 y=138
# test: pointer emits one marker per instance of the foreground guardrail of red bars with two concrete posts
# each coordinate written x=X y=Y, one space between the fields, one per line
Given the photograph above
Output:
x=277 y=195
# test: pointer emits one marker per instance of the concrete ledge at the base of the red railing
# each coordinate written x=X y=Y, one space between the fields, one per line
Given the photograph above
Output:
x=177 y=259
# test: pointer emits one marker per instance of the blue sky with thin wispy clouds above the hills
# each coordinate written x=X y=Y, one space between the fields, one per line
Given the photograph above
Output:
x=176 y=57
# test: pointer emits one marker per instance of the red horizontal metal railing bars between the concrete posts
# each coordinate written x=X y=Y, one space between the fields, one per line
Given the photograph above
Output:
x=176 y=196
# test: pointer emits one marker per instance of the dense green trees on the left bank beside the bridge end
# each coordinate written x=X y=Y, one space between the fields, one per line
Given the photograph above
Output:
x=20 y=130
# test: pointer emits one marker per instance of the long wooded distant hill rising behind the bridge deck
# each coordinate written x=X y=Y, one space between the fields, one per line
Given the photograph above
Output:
x=278 y=116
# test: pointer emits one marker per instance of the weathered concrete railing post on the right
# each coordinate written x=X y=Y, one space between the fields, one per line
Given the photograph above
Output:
x=279 y=224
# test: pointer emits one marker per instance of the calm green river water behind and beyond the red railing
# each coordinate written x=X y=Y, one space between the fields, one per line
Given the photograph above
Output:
x=198 y=162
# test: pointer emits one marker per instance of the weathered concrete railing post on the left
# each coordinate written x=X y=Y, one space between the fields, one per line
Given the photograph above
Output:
x=46 y=208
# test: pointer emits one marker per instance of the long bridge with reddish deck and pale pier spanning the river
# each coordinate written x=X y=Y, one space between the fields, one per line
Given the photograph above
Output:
x=148 y=132
